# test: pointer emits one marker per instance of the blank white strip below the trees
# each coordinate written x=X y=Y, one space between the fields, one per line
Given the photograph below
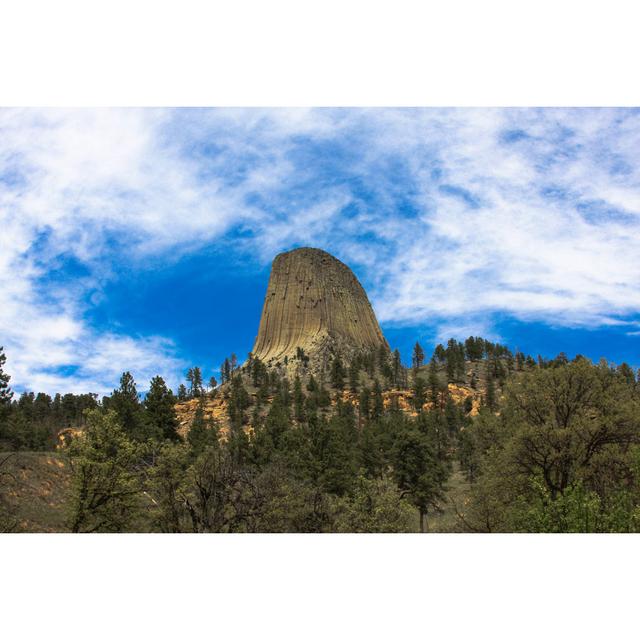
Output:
x=314 y=586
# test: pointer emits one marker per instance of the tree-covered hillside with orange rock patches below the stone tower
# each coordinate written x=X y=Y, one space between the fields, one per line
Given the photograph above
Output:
x=476 y=438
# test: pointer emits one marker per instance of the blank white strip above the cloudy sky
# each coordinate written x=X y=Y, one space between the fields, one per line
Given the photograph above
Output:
x=319 y=53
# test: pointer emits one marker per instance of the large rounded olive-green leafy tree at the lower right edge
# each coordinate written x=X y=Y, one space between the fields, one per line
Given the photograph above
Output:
x=562 y=455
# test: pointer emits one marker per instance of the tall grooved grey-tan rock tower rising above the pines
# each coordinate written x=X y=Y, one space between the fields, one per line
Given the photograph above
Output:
x=314 y=302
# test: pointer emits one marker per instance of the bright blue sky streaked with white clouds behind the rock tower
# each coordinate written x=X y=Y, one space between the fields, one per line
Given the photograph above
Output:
x=141 y=239
